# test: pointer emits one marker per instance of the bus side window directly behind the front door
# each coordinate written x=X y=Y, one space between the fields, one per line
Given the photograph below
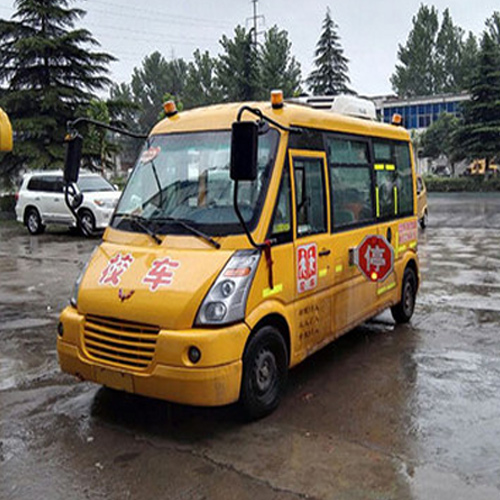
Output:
x=350 y=181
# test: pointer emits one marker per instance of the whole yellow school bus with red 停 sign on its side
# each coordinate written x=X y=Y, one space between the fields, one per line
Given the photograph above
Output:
x=210 y=284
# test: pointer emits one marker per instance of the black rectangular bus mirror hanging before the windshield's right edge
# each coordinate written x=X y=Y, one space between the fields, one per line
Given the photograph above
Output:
x=244 y=143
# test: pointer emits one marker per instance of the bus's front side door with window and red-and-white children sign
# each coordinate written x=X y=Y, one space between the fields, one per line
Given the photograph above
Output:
x=312 y=248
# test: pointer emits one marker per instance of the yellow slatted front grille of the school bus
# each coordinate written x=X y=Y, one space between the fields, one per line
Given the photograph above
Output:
x=125 y=343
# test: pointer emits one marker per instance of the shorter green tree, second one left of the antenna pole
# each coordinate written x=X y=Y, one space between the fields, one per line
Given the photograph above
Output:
x=202 y=87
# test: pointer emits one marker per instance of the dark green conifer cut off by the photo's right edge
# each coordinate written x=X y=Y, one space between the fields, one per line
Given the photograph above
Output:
x=479 y=133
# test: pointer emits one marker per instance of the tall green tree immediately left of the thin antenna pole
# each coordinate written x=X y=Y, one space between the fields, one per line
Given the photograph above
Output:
x=237 y=68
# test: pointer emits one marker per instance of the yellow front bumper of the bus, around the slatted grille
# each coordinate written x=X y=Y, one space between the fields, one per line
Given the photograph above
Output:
x=215 y=381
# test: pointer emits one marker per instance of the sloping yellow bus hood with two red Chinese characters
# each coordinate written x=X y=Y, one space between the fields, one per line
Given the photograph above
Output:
x=156 y=286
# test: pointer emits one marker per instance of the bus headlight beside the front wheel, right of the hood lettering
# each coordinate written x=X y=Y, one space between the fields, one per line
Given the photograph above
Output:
x=226 y=300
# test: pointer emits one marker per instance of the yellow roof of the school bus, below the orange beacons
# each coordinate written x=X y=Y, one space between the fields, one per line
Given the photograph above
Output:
x=221 y=116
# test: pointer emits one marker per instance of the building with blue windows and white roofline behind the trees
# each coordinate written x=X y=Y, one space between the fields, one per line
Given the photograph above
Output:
x=419 y=112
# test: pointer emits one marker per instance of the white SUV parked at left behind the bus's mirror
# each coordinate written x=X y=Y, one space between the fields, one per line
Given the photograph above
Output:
x=40 y=201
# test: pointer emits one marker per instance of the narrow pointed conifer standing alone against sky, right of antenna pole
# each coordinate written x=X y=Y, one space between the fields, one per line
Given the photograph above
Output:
x=331 y=74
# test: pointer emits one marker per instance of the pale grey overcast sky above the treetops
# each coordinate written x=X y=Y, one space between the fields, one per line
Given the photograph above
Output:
x=370 y=30
